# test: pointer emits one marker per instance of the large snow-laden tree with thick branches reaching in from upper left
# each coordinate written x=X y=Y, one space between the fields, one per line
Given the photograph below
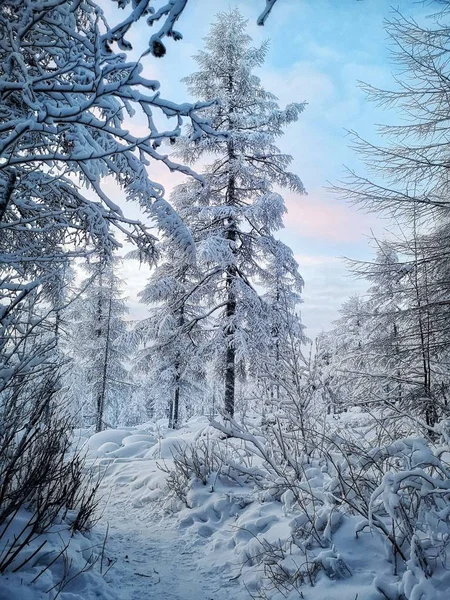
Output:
x=65 y=96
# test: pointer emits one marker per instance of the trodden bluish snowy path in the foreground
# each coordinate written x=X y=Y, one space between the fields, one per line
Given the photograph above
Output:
x=153 y=560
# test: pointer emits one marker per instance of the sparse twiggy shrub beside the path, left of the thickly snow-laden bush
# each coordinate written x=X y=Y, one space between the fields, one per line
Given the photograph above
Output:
x=292 y=476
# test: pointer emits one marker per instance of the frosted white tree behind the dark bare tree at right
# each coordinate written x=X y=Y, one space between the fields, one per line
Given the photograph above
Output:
x=389 y=348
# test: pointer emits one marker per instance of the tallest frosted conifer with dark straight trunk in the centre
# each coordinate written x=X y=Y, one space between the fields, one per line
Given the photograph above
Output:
x=235 y=213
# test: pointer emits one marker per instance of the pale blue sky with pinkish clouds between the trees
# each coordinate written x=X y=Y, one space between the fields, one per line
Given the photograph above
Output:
x=319 y=49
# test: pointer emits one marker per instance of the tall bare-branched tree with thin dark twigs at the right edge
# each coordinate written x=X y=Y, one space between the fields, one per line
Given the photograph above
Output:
x=408 y=179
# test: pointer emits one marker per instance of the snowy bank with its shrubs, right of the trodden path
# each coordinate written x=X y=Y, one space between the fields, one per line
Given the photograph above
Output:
x=356 y=522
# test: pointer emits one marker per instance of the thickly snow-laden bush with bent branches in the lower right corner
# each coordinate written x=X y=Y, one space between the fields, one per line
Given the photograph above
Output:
x=402 y=491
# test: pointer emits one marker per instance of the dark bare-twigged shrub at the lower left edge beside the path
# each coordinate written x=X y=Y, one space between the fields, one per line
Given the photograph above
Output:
x=39 y=472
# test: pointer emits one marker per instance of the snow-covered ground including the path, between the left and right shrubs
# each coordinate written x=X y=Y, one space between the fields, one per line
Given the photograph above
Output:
x=228 y=538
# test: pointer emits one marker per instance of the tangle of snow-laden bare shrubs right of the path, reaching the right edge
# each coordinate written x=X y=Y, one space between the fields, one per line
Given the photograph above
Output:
x=400 y=491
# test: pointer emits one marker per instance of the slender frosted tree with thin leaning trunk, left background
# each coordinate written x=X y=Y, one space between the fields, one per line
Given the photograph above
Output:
x=99 y=382
